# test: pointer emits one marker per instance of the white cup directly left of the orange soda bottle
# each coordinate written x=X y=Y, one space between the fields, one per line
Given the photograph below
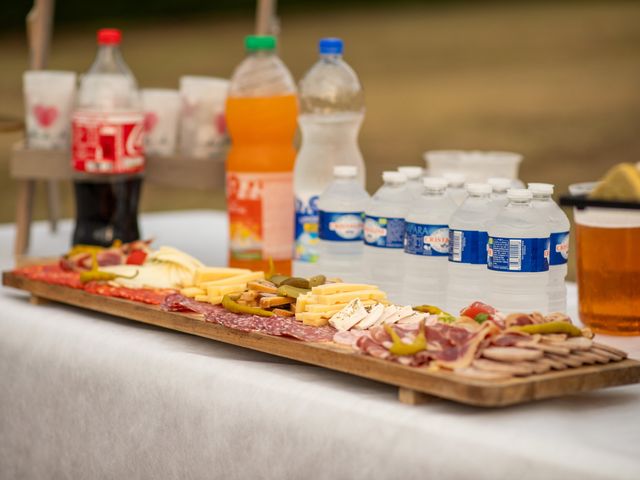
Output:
x=202 y=124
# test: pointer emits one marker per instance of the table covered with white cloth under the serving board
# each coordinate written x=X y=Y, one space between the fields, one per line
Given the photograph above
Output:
x=85 y=395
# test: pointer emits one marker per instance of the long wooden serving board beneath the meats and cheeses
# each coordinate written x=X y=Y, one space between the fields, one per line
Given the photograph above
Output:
x=415 y=384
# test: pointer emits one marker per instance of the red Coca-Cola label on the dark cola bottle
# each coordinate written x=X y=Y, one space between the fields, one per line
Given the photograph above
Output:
x=108 y=142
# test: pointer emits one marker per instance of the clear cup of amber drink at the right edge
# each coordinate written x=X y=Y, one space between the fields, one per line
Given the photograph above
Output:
x=608 y=264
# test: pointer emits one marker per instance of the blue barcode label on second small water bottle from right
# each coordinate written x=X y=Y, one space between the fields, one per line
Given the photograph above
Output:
x=518 y=254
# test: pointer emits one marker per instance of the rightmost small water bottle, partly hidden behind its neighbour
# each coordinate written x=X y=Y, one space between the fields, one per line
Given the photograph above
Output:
x=559 y=227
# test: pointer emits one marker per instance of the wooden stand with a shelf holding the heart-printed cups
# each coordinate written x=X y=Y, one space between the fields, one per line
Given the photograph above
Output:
x=28 y=166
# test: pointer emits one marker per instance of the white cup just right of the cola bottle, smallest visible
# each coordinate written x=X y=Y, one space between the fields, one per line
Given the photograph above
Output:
x=161 y=113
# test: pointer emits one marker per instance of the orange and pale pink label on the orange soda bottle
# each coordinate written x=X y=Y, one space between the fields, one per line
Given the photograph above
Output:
x=260 y=209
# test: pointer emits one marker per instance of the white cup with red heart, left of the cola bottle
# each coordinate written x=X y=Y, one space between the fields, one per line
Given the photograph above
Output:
x=49 y=98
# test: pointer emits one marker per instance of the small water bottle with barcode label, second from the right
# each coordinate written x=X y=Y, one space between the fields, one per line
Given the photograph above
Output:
x=518 y=256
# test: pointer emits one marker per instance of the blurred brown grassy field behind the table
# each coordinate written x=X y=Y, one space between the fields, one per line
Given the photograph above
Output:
x=556 y=81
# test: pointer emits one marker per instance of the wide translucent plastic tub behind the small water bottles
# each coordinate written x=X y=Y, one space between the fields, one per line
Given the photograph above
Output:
x=477 y=166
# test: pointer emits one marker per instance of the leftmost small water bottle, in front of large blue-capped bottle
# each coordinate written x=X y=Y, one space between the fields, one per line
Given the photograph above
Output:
x=341 y=210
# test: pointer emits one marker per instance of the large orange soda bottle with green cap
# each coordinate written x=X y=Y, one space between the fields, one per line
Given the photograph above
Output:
x=261 y=114
